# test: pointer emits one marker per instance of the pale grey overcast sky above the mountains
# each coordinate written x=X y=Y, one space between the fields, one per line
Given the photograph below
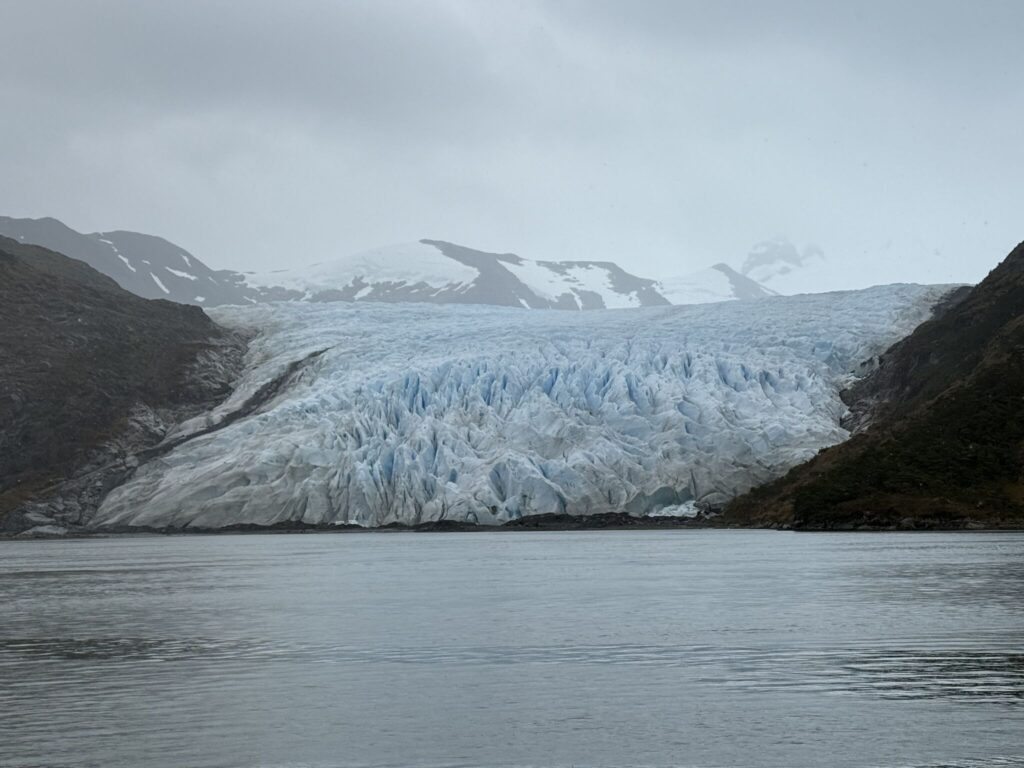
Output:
x=662 y=136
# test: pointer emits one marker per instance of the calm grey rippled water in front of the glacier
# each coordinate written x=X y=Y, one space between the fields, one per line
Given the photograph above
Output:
x=690 y=649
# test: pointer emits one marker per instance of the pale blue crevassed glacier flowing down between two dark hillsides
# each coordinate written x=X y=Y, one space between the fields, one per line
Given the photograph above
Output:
x=376 y=413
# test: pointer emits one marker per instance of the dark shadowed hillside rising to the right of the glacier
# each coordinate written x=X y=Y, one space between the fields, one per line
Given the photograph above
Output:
x=942 y=440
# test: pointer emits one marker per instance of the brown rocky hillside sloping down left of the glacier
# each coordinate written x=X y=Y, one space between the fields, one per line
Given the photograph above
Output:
x=91 y=373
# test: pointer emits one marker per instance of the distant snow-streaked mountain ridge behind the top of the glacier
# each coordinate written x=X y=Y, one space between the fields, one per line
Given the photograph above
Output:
x=432 y=272
